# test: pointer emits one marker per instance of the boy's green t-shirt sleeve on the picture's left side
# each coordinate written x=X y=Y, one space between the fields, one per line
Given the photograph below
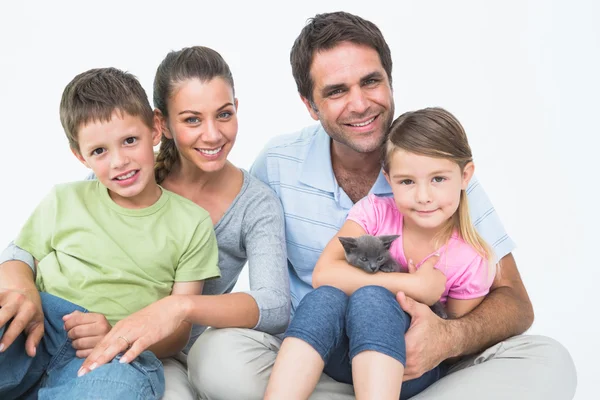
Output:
x=37 y=233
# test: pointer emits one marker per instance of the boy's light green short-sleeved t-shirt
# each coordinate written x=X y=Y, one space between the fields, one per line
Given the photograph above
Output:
x=113 y=260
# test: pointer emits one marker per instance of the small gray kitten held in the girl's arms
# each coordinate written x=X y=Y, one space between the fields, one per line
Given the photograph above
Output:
x=372 y=253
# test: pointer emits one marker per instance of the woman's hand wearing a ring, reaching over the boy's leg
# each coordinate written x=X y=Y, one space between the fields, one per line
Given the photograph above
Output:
x=137 y=332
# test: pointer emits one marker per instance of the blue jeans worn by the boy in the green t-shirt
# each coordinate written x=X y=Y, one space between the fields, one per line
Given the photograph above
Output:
x=52 y=373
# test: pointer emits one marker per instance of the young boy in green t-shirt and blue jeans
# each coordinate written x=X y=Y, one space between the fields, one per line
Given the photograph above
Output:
x=112 y=246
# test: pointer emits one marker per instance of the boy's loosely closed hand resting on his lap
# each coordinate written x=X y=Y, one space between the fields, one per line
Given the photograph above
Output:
x=86 y=330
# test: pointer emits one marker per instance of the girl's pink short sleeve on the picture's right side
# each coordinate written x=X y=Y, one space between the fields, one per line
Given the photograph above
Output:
x=474 y=282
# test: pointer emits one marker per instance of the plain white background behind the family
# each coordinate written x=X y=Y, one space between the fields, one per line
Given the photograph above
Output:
x=522 y=76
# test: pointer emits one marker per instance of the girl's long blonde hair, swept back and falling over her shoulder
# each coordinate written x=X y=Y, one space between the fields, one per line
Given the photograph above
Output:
x=434 y=132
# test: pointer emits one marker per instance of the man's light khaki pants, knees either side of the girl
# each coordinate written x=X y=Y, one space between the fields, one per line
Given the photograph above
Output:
x=236 y=364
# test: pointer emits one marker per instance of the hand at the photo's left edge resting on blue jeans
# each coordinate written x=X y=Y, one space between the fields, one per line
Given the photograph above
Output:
x=25 y=310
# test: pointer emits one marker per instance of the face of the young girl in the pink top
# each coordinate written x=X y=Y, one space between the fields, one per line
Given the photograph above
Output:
x=426 y=189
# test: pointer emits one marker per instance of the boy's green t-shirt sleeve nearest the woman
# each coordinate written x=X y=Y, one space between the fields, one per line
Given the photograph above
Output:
x=201 y=258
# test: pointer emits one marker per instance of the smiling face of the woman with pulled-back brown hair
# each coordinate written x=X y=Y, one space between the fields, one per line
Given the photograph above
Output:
x=202 y=122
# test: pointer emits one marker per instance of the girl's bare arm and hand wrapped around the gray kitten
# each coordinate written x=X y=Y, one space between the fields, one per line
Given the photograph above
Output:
x=426 y=285
